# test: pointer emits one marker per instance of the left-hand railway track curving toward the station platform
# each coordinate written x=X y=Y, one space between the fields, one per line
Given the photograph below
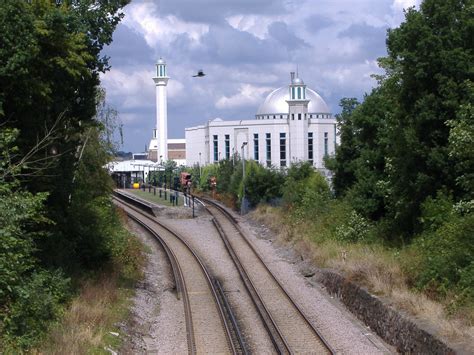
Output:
x=210 y=324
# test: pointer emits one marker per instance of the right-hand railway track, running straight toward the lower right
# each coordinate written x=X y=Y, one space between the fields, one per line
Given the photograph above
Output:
x=291 y=331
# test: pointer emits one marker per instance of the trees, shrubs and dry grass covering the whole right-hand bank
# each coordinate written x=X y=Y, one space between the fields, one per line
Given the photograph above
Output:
x=403 y=185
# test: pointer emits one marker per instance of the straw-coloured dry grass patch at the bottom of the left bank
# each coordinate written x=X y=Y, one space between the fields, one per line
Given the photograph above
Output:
x=91 y=316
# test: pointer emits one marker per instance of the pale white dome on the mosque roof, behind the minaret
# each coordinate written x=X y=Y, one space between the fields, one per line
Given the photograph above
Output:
x=275 y=103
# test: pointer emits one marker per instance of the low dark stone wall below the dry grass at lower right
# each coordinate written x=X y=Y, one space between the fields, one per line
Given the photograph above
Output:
x=391 y=325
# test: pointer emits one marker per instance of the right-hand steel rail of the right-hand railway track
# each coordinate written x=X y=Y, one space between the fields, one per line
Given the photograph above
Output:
x=234 y=222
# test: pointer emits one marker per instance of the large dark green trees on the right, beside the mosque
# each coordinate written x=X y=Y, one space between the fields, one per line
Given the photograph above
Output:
x=396 y=148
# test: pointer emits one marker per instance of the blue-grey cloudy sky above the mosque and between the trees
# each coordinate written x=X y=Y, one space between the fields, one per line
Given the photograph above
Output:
x=247 y=48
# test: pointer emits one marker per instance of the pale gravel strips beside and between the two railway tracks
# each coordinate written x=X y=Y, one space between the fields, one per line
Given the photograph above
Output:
x=157 y=325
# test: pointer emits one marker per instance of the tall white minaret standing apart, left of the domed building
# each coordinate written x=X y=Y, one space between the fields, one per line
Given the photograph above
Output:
x=161 y=130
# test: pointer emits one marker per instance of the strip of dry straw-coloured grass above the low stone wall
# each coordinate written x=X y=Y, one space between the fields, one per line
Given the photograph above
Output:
x=373 y=267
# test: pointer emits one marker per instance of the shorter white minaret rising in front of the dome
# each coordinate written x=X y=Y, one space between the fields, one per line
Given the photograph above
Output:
x=297 y=119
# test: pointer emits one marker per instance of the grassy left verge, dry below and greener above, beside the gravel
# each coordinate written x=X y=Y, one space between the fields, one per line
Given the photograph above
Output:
x=89 y=324
